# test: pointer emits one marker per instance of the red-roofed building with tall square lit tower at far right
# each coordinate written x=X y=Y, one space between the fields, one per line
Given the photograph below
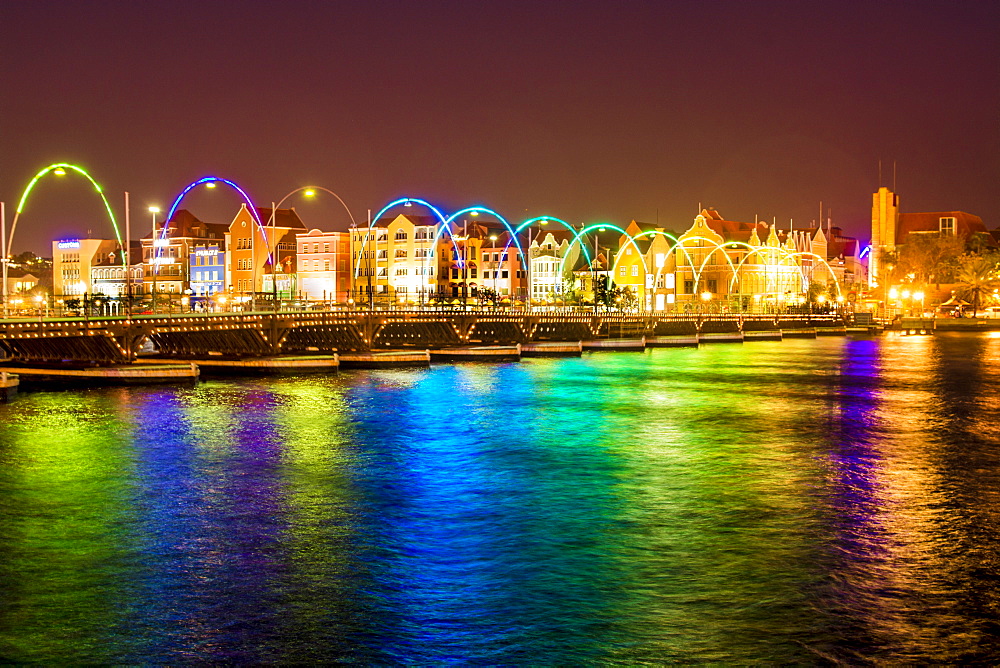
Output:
x=890 y=228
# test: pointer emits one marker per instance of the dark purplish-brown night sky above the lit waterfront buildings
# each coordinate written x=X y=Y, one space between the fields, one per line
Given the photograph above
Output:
x=590 y=111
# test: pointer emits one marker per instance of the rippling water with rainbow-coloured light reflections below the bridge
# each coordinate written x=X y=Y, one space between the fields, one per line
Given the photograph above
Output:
x=788 y=502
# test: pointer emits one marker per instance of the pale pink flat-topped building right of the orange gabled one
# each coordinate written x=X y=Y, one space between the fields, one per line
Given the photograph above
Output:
x=323 y=266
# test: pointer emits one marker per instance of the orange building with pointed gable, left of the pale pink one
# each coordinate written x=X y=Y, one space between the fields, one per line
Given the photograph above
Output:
x=262 y=260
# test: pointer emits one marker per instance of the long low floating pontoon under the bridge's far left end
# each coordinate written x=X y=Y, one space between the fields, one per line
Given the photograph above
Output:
x=126 y=374
